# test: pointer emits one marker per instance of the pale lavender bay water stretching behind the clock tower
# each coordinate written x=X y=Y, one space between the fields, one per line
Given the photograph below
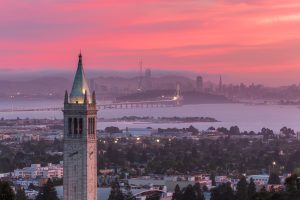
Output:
x=246 y=117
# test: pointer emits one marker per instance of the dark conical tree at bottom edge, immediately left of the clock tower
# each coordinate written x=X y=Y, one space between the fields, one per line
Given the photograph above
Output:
x=47 y=192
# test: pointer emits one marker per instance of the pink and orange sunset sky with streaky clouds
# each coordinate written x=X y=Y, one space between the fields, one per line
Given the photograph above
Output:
x=252 y=40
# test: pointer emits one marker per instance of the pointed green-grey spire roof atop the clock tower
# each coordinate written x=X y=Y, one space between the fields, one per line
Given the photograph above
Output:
x=80 y=85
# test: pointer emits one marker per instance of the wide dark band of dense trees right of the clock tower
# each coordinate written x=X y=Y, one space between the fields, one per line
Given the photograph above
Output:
x=251 y=156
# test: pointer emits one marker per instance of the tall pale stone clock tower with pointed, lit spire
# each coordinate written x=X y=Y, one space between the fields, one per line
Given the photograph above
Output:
x=80 y=141
